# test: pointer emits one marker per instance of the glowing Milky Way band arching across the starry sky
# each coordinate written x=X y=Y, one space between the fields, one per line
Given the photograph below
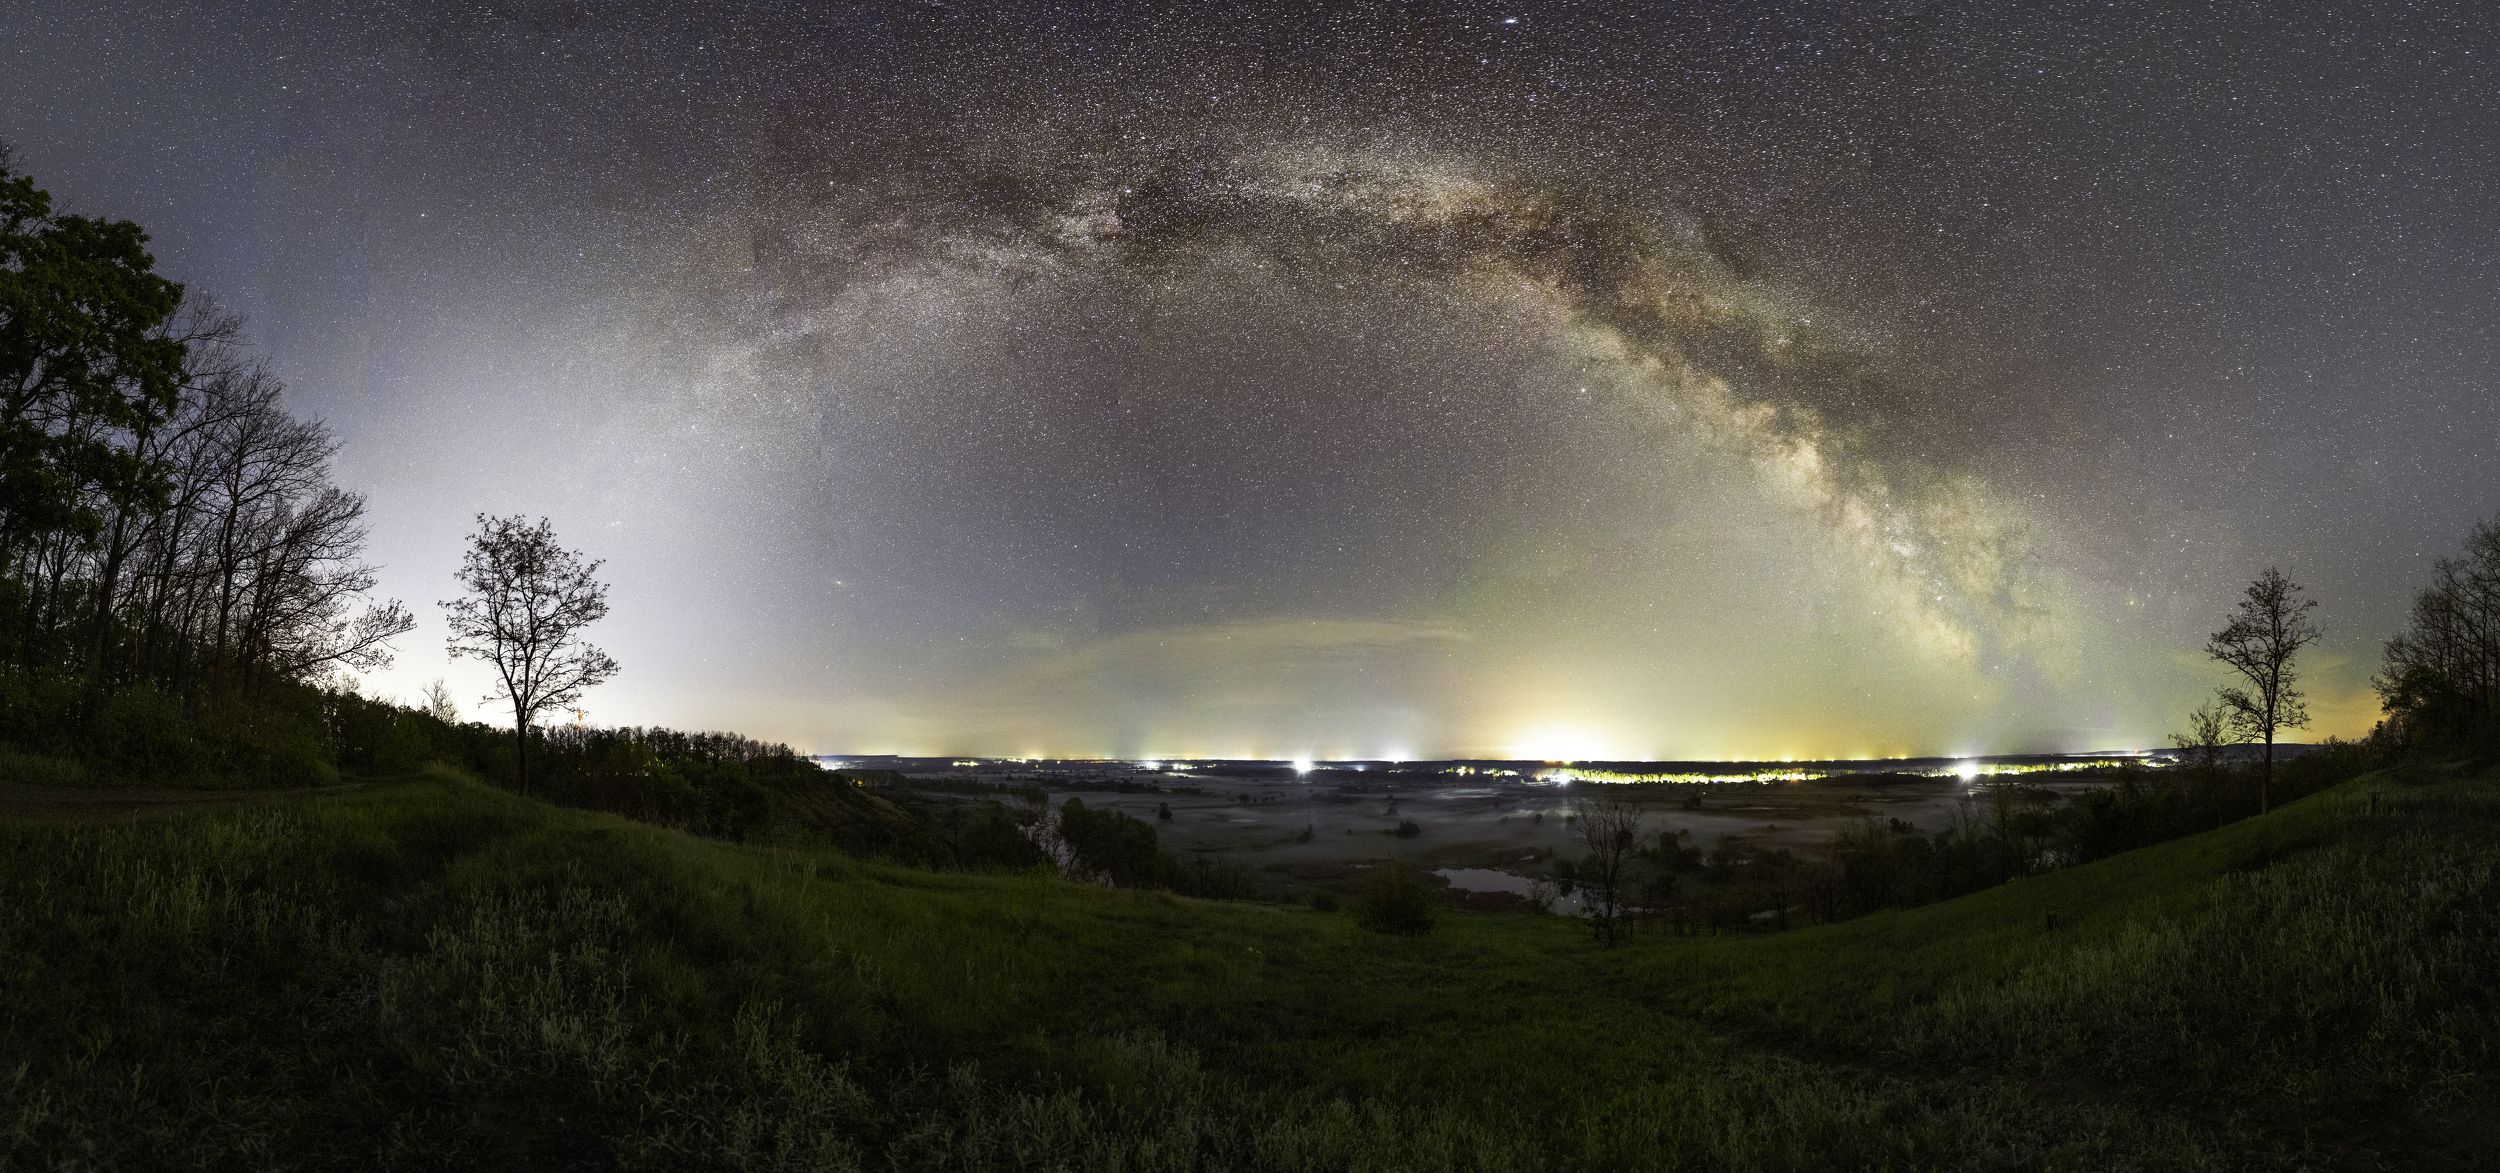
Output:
x=1654 y=311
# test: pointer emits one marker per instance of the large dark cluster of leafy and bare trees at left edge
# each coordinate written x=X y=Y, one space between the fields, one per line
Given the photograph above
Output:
x=174 y=554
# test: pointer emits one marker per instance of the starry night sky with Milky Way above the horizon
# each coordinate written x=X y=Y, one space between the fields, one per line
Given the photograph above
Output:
x=1356 y=381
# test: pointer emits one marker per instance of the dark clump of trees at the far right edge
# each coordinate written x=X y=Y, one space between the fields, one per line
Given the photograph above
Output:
x=2441 y=677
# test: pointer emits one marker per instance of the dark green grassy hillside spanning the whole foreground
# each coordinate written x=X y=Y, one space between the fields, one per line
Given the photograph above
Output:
x=434 y=974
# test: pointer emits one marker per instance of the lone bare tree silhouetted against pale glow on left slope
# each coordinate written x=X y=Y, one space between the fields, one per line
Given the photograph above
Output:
x=526 y=607
